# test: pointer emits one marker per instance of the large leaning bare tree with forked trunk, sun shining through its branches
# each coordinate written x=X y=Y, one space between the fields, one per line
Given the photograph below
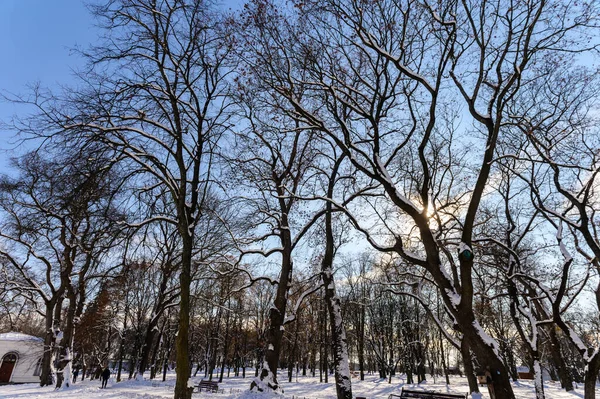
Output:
x=381 y=78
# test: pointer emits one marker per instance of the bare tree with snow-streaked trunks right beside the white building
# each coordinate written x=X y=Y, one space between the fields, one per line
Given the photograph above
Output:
x=59 y=218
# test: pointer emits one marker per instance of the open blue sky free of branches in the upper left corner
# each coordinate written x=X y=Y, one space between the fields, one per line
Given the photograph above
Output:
x=36 y=38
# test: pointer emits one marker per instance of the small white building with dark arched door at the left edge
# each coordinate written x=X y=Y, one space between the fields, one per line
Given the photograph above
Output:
x=20 y=358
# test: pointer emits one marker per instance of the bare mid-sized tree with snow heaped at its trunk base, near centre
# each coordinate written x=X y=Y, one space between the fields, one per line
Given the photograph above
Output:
x=273 y=163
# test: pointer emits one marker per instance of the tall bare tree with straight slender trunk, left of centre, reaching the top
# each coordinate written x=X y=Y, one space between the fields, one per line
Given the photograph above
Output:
x=156 y=92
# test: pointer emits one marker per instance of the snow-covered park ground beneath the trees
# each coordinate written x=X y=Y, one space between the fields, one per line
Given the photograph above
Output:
x=235 y=388
